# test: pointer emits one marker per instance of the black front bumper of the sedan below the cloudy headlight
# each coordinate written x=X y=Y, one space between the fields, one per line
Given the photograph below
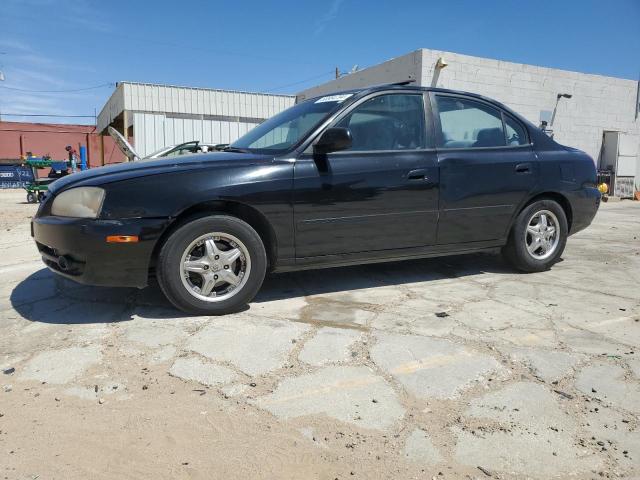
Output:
x=77 y=249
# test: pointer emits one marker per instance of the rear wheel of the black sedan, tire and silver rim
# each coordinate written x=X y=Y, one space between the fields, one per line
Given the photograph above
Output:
x=531 y=246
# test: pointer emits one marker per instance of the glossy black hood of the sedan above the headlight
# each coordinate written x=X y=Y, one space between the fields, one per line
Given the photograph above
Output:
x=125 y=171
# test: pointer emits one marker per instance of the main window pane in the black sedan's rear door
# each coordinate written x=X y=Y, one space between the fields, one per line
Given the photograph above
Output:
x=469 y=124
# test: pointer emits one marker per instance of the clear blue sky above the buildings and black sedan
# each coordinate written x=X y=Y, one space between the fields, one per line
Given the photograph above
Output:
x=284 y=46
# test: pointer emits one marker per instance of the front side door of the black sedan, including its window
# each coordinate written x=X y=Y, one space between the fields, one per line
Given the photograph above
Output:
x=382 y=193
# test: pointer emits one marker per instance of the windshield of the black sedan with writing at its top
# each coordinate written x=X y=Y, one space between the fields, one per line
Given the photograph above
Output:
x=284 y=130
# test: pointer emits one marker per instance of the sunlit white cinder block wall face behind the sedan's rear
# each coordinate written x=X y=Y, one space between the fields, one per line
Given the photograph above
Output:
x=599 y=103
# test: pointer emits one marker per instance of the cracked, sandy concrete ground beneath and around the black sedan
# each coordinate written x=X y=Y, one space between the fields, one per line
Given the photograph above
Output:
x=448 y=368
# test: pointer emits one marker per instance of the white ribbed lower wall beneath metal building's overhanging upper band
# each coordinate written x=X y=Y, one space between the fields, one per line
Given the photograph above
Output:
x=154 y=131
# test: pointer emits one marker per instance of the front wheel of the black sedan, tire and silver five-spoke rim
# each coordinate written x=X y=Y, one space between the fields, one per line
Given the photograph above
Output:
x=205 y=248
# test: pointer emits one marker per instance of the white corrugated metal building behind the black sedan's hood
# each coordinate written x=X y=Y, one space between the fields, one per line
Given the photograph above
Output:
x=155 y=116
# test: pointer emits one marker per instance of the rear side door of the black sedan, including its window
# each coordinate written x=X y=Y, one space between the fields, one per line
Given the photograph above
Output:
x=487 y=168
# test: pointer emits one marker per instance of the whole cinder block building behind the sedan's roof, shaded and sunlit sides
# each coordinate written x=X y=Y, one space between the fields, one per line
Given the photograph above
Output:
x=601 y=117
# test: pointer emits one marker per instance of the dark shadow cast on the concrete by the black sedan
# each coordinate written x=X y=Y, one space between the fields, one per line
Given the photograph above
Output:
x=45 y=297
